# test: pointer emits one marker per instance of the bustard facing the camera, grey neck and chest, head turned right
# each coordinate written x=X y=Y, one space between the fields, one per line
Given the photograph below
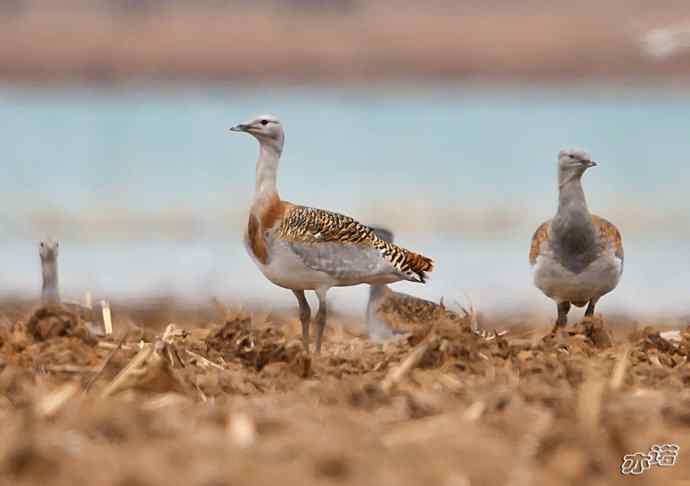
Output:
x=577 y=257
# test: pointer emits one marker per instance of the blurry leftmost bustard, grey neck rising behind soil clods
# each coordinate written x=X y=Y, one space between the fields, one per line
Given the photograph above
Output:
x=50 y=291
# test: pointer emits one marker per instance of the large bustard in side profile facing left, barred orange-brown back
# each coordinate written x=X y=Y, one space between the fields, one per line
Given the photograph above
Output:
x=301 y=248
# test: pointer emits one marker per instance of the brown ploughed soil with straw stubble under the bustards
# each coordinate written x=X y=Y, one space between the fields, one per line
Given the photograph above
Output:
x=224 y=398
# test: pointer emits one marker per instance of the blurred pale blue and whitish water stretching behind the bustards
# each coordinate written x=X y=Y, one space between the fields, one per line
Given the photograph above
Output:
x=148 y=191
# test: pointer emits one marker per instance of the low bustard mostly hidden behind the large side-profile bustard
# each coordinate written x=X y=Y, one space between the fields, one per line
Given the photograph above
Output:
x=390 y=312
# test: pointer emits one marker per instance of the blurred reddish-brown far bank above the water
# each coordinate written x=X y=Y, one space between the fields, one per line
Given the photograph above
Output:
x=343 y=42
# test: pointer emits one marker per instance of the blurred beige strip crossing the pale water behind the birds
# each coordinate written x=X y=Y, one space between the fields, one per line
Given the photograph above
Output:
x=103 y=222
